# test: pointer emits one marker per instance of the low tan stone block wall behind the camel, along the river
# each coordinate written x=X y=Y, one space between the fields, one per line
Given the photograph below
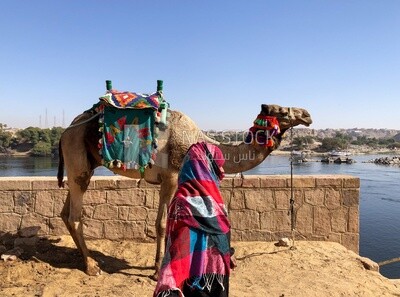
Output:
x=326 y=207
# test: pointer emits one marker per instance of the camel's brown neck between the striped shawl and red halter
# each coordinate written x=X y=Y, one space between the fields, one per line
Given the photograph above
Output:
x=243 y=157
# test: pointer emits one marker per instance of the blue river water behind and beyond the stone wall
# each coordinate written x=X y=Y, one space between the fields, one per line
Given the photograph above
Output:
x=379 y=196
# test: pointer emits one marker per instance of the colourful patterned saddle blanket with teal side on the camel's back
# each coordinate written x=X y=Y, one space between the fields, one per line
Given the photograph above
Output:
x=129 y=125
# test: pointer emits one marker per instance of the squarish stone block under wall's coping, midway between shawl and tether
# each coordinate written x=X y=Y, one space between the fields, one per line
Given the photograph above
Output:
x=259 y=200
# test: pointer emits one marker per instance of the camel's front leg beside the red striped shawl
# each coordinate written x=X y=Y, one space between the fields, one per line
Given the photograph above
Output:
x=167 y=190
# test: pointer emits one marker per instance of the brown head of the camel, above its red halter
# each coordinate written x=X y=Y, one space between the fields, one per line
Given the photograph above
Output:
x=287 y=116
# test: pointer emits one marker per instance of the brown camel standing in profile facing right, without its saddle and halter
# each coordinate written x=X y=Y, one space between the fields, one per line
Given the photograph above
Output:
x=78 y=152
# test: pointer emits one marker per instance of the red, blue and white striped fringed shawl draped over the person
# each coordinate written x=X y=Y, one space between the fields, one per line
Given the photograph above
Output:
x=197 y=244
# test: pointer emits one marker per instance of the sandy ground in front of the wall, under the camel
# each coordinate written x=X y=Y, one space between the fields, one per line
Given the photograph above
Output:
x=53 y=268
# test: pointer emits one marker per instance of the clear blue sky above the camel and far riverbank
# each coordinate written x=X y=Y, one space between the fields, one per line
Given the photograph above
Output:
x=220 y=60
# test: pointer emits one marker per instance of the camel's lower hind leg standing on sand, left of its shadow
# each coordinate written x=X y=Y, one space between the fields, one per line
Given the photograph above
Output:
x=72 y=217
